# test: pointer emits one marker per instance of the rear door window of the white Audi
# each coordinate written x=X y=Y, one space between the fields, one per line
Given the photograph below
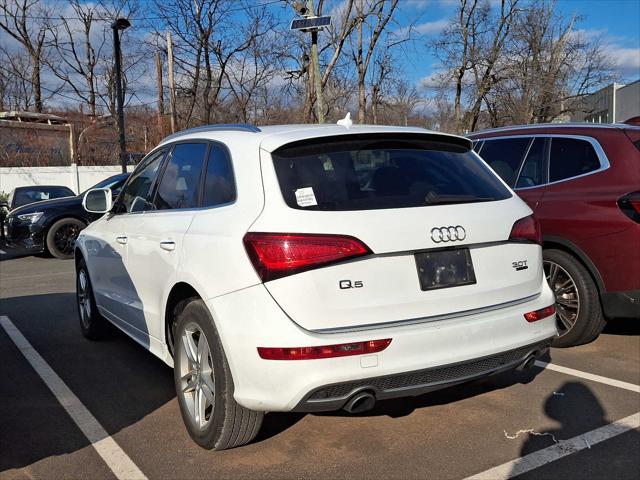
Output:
x=180 y=184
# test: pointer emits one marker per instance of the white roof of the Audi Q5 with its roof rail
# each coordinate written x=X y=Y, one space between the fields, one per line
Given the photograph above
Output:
x=272 y=137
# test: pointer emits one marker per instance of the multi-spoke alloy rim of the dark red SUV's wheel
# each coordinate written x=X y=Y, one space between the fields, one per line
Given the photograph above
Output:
x=567 y=296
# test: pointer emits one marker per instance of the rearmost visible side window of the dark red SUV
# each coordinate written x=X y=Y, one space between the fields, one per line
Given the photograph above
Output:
x=571 y=157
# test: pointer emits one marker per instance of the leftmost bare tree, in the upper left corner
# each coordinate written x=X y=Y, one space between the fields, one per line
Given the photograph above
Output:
x=25 y=22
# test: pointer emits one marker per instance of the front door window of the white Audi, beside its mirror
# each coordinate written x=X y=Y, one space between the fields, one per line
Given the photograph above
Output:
x=135 y=195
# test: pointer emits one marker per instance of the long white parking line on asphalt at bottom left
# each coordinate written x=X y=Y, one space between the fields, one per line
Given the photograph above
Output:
x=115 y=458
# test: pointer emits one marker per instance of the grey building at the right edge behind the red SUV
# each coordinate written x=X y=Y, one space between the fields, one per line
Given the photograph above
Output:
x=612 y=104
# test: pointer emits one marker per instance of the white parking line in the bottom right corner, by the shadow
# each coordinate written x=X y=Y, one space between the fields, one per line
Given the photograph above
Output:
x=561 y=449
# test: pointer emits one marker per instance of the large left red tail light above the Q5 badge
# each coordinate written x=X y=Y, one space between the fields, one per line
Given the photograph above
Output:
x=276 y=255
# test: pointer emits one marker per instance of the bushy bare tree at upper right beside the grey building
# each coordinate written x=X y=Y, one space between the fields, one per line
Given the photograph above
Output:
x=549 y=68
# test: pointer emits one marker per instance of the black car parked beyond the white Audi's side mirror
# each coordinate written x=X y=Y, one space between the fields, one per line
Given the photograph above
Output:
x=53 y=225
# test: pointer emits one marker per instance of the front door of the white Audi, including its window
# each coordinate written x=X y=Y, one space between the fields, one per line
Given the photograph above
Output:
x=107 y=247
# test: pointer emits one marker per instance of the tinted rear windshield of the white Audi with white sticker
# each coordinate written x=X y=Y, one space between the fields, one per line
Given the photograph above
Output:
x=380 y=172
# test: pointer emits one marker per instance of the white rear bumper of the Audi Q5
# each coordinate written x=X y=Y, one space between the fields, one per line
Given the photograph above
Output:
x=250 y=318
